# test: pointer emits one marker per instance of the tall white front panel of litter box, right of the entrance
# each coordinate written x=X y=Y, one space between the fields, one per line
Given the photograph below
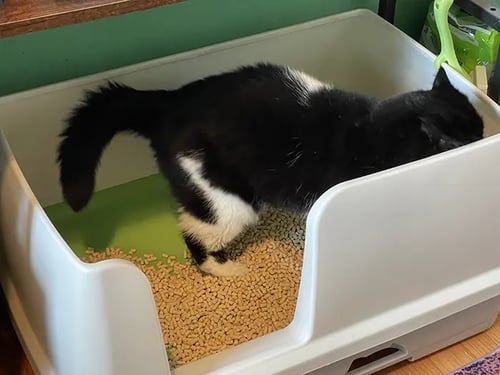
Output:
x=406 y=246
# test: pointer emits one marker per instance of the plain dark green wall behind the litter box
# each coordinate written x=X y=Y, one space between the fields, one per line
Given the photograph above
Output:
x=44 y=57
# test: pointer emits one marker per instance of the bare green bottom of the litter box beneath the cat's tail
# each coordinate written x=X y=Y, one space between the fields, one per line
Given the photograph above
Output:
x=141 y=215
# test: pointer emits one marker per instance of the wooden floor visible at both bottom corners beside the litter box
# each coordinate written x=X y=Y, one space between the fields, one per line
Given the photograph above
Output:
x=13 y=361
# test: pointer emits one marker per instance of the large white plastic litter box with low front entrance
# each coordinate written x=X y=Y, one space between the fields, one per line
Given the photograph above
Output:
x=405 y=261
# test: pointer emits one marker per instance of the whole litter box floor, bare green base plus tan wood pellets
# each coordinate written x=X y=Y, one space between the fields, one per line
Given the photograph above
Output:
x=199 y=314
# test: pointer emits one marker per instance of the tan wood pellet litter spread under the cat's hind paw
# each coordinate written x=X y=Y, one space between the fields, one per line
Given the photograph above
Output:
x=202 y=314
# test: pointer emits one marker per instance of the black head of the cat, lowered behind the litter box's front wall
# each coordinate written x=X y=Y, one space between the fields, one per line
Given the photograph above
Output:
x=425 y=123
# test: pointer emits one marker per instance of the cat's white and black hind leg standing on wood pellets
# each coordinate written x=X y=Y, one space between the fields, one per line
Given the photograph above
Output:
x=207 y=232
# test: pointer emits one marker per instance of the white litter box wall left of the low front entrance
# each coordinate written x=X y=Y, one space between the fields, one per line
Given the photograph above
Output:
x=67 y=312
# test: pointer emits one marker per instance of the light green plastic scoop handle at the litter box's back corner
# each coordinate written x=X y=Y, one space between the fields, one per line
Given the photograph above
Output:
x=447 y=54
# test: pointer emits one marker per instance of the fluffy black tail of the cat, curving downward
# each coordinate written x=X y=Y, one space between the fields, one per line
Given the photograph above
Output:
x=103 y=113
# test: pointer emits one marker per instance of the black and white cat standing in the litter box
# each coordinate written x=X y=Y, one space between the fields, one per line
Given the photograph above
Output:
x=262 y=134
